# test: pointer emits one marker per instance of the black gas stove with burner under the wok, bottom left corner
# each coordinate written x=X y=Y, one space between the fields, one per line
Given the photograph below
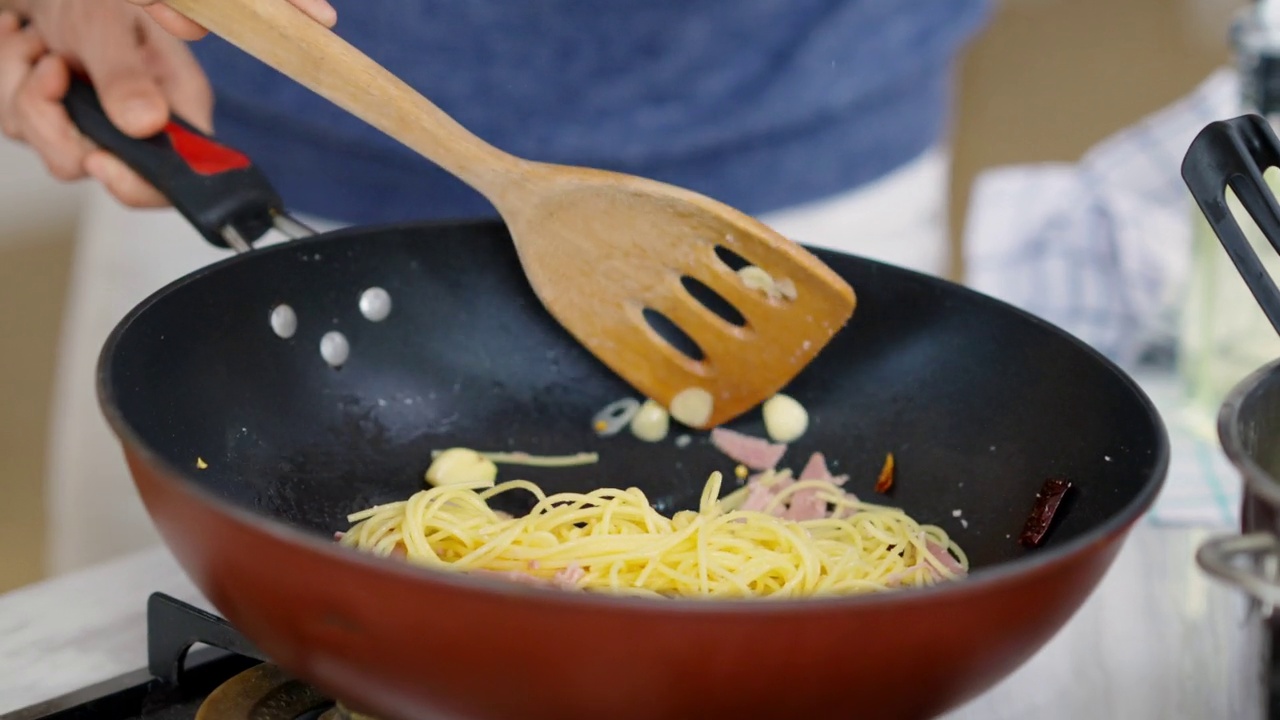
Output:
x=198 y=668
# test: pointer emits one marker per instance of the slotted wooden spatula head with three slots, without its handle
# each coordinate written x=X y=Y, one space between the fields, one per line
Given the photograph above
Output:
x=620 y=259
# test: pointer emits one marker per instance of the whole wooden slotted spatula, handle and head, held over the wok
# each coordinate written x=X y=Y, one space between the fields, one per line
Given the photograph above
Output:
x=610 y=256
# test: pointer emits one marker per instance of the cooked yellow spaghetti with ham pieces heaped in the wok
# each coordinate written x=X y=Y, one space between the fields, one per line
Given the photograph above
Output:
x=746 y=545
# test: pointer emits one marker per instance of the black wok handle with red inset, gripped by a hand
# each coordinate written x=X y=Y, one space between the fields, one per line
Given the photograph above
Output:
x=218 y=189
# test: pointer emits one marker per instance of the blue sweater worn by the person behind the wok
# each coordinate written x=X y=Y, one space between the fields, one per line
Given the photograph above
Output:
x=762 y=104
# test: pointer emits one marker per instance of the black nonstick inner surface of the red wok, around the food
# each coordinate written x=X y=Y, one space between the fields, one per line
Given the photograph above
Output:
x=979 y=403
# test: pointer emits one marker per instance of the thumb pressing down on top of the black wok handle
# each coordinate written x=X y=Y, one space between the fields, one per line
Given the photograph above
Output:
x=116 y=63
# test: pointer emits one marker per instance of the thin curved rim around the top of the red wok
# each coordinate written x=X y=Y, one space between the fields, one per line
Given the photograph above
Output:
x=1114 y=530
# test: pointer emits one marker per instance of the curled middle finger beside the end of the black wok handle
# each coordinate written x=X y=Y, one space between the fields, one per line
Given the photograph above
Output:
x=44 y=122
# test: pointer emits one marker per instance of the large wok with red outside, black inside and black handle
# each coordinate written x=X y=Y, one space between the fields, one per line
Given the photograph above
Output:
x=249 y=452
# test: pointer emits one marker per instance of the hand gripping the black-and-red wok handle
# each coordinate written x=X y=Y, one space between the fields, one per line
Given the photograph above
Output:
x=140 y=72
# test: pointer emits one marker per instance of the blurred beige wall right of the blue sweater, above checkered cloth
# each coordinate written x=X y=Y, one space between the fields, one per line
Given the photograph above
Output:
x=1053 y=78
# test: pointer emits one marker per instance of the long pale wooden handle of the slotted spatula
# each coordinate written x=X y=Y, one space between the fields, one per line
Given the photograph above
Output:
x=286 y=39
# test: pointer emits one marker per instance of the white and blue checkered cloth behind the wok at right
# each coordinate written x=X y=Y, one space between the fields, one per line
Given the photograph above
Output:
x=1101 y=249
